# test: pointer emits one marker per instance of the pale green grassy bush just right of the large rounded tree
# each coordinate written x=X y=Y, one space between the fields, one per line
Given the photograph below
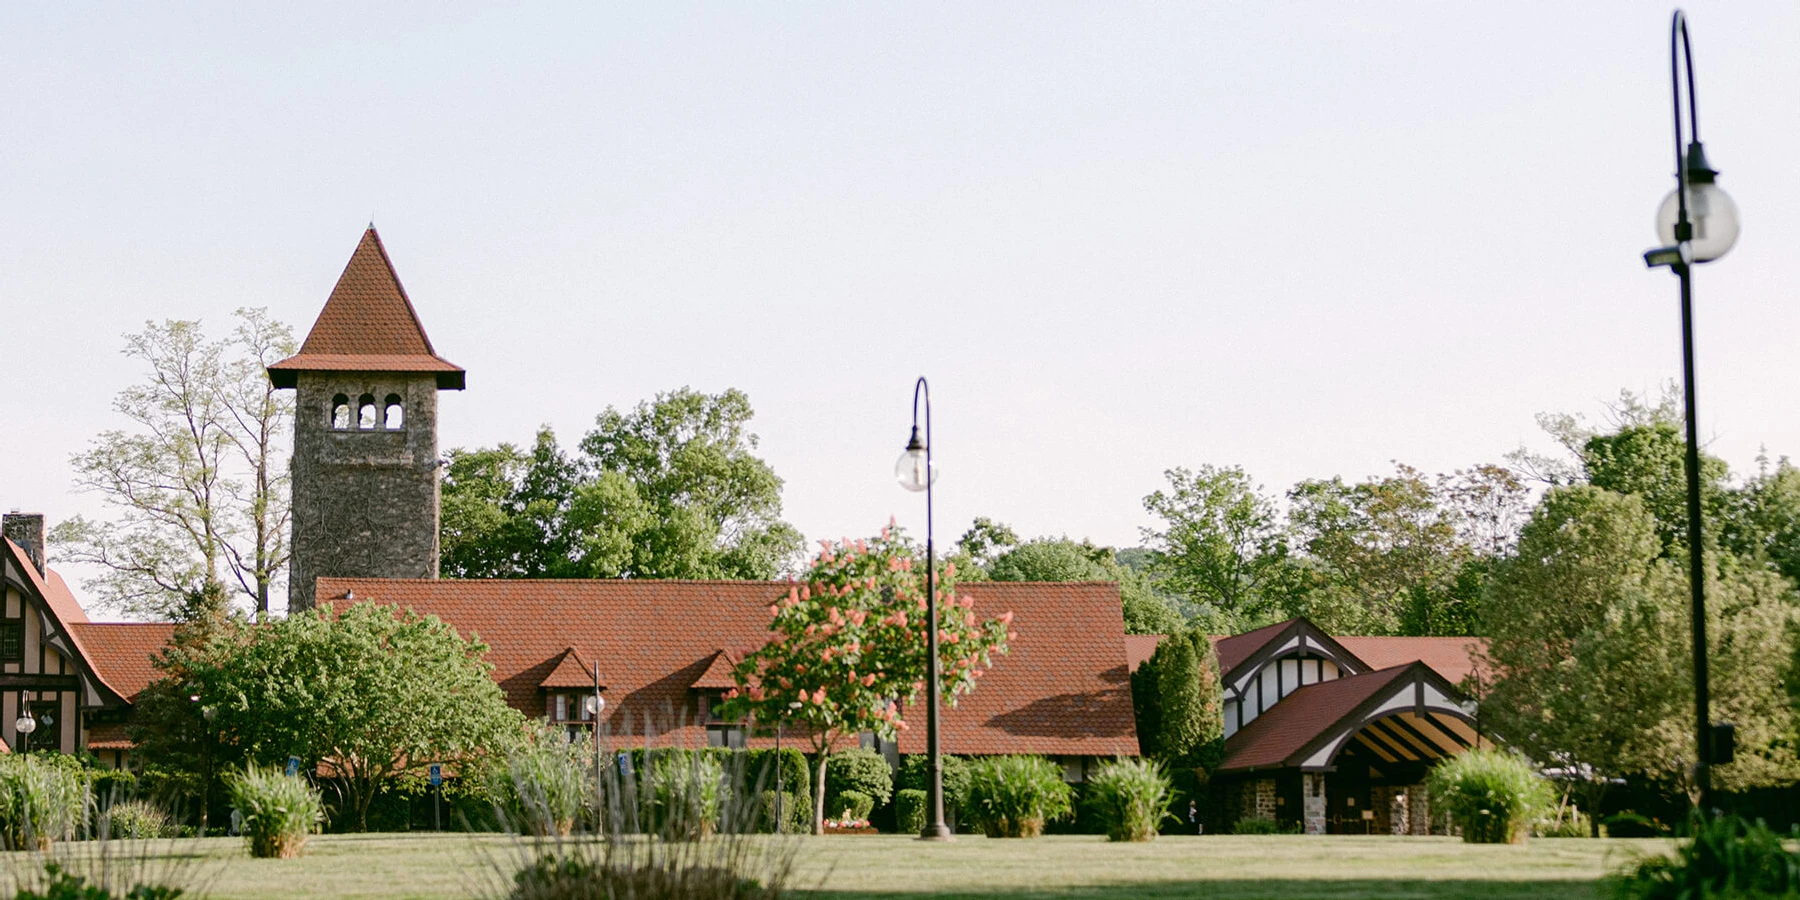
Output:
x=544 y=784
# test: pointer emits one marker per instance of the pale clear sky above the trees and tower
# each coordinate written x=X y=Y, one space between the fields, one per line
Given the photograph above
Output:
x=1302 y=238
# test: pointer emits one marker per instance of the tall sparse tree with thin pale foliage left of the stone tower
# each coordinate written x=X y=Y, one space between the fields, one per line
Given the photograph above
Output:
x=201 y=481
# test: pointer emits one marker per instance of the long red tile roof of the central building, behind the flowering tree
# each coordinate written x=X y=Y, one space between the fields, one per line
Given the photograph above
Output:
x=1061 y=690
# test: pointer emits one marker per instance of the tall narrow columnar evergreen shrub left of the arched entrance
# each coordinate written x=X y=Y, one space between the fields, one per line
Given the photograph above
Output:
x=1191 y=706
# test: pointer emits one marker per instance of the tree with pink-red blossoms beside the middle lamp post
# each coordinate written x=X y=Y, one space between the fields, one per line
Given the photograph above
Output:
x=847 y=649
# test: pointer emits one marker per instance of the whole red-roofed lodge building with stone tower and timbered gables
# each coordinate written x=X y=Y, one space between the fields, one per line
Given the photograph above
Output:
x=1331 y=733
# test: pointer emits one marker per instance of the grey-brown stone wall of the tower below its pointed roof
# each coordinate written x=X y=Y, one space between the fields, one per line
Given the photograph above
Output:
x=364 y=499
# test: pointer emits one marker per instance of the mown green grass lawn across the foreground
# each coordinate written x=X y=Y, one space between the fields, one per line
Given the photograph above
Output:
x=1288 y=867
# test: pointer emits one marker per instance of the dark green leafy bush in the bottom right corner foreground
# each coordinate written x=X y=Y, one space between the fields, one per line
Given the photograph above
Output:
x=1723 y=858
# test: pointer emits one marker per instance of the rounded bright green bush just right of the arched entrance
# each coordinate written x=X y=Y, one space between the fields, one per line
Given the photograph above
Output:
x=1493 y=796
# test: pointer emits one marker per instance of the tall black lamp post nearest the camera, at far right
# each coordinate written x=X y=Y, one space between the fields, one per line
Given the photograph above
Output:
x=1698 y=224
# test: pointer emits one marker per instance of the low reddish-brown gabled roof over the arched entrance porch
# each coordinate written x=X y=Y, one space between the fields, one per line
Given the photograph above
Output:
x=1313 y=717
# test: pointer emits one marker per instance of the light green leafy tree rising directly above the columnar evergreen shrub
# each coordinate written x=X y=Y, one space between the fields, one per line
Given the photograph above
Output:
x=1221 y=543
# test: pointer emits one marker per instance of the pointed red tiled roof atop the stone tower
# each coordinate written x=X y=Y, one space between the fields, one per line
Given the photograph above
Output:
x=368 y=327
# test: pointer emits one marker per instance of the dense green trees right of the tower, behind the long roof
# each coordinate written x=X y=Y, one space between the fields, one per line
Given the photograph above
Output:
x=667 y=490
